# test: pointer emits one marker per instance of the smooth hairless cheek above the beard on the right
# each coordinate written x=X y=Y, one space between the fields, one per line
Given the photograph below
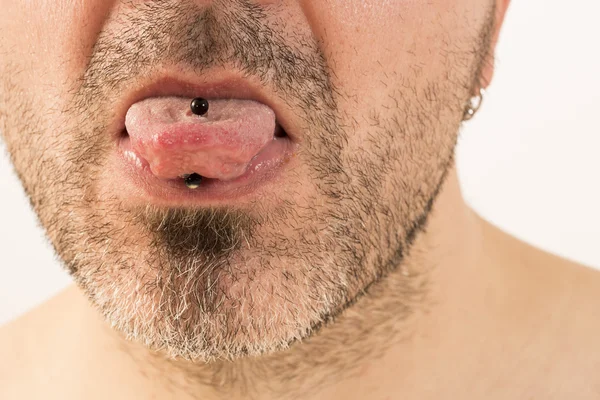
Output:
x=373 y=45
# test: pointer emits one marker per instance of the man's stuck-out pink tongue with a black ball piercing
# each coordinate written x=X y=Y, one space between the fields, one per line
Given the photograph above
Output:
x=220 y=144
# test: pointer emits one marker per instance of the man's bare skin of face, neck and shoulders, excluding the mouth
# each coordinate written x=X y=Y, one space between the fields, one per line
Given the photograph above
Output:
x=361 y=274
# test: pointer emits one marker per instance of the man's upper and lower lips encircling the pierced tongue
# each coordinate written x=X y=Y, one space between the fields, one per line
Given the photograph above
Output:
x=137 y=183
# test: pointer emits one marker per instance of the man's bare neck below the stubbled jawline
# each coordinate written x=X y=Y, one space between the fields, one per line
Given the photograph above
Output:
x=395 y=339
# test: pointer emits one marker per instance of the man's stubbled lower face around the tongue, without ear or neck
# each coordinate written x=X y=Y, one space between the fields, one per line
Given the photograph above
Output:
x=370 y=93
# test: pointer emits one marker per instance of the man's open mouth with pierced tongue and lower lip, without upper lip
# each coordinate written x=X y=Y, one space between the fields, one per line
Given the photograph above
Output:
x=171 y=147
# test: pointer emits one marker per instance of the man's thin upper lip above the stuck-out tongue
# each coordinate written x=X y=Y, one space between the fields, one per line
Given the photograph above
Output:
x=210 y=84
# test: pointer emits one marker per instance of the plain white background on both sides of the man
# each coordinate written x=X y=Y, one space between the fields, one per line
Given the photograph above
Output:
x=529 y=162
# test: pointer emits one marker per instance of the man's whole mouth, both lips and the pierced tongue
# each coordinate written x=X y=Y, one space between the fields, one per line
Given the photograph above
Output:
x=168 y=156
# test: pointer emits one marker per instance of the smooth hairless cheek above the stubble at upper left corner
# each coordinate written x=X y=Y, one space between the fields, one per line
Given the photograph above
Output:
x=48 y=44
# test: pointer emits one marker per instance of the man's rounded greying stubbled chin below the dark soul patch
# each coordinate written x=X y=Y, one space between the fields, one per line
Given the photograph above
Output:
x=221 y=314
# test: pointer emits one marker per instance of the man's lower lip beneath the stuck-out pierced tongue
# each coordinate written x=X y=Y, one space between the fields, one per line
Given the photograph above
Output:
x=135 y=173
